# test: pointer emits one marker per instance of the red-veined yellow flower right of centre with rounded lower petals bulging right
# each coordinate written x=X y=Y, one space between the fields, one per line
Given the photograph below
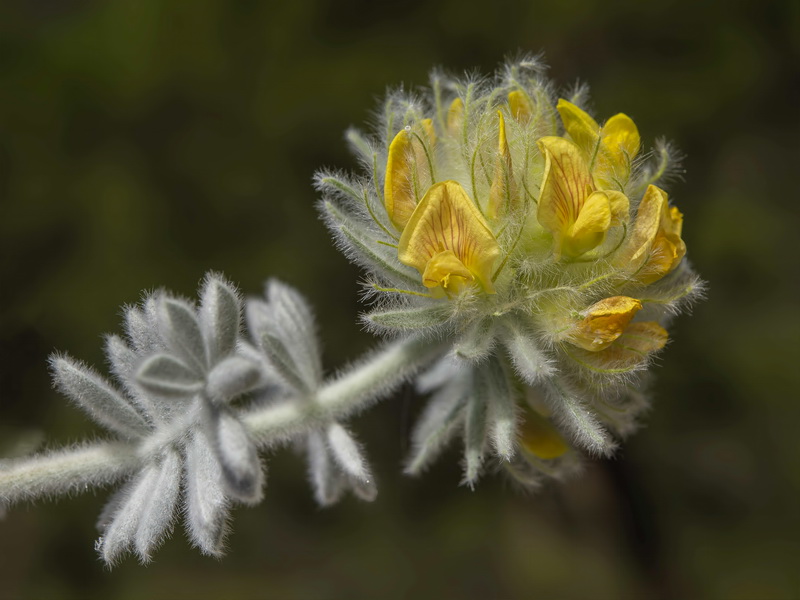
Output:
x=575 y=213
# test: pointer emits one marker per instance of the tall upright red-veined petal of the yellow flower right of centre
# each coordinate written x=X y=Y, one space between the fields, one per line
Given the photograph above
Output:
x=566 y=183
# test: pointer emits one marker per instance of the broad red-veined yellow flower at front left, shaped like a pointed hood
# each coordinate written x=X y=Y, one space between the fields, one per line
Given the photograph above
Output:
x=448 y=241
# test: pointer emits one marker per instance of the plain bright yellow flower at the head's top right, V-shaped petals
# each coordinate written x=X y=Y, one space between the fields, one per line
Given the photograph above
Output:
x=609 y=149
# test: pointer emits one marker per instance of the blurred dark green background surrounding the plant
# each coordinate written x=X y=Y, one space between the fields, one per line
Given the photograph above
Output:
x=145 y=142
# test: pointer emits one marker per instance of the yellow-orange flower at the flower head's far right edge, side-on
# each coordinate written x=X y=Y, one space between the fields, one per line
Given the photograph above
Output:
x=654 y=247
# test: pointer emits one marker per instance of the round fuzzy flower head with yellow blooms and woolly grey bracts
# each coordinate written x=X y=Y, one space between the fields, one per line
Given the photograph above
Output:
x=508 y=221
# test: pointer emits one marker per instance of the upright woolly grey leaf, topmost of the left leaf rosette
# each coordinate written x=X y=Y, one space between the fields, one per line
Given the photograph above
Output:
x=220 y=316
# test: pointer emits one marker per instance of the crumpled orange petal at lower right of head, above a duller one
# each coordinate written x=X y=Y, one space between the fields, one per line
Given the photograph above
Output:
x=605 y=321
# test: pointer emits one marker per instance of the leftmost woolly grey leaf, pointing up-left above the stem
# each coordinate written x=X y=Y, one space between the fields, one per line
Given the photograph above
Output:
x=106 y=405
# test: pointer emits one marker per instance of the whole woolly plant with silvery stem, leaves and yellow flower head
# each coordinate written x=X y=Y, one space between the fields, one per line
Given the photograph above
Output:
x=523 y=262
